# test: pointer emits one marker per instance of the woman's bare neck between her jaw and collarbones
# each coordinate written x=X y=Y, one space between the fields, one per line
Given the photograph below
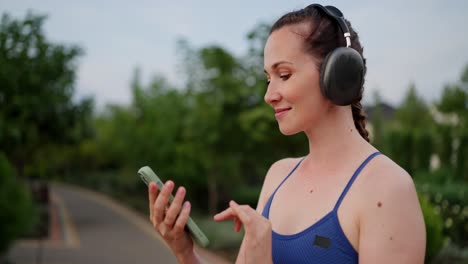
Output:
x=335 y=137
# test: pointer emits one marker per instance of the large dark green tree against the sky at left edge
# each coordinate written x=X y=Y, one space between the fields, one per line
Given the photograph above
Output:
x=37 y=109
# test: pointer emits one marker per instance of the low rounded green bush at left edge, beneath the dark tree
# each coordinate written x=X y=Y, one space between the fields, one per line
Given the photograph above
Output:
x=16 y=208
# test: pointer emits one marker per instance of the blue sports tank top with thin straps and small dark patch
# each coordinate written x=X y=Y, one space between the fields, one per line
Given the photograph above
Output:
x=322 y=242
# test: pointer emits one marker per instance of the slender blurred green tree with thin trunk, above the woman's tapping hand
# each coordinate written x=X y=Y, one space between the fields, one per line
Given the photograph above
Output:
x=217 y=101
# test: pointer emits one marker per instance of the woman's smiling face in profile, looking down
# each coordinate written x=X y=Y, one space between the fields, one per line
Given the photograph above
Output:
x=293 y=90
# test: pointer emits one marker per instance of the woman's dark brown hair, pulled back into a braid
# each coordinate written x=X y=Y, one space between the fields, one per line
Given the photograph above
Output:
x=325 y=36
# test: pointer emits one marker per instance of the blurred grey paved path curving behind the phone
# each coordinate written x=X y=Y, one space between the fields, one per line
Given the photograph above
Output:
x=90 y=228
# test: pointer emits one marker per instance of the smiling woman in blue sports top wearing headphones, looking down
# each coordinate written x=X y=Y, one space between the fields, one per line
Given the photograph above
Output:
x=344 y=202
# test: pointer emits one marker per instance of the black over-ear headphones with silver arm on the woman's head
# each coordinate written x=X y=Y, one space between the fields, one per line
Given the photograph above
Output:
x=342 y=71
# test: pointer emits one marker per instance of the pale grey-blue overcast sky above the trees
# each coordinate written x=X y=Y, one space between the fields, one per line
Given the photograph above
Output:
x=420 y=42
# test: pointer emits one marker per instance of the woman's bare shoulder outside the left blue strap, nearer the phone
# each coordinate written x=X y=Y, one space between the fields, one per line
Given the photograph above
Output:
x=276 y=173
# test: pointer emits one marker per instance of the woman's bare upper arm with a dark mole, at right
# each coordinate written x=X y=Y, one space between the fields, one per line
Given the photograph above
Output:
x=392 y=228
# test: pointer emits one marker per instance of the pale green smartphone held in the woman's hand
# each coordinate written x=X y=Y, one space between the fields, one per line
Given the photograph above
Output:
x=148 y=175
